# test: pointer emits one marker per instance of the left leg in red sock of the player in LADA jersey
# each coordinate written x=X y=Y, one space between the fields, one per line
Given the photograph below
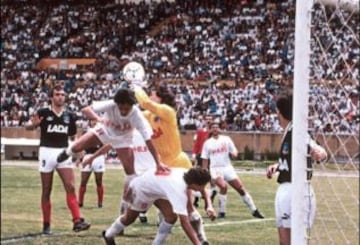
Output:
x=46 y=187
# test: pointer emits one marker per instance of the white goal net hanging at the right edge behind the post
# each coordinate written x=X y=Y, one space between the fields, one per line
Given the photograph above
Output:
x=333 y=119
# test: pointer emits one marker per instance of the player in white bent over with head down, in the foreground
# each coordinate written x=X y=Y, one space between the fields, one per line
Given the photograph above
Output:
x=169 y=193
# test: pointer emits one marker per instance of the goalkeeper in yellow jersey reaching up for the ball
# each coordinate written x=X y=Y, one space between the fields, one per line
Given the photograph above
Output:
x=161 y=113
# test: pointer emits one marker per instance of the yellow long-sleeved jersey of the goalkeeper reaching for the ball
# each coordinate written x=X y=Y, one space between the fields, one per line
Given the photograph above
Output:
x=166 y=136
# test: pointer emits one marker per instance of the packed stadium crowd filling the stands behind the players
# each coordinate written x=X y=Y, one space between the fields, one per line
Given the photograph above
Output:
x=250 y=43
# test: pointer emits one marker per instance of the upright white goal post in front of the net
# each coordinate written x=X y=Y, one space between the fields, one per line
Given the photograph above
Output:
x=300 y=124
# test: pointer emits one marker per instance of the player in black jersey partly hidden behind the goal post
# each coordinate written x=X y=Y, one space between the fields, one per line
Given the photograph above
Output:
x=283 y=193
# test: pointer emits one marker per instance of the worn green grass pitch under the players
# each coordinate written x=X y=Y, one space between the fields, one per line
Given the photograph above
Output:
x=21 y=221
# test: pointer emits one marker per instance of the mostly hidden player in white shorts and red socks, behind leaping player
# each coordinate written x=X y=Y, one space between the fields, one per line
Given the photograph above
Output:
x=92 y=164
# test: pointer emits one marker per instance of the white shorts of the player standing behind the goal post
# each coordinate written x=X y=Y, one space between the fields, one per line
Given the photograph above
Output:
x=283 y=206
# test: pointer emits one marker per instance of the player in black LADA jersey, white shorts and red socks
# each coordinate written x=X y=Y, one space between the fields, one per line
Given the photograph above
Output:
x=56 y=126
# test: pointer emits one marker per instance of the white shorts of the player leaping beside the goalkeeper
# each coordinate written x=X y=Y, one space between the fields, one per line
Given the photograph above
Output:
x=118 y=141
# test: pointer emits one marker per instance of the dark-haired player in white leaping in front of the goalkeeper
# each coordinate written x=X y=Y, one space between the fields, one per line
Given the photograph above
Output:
x=116 y=119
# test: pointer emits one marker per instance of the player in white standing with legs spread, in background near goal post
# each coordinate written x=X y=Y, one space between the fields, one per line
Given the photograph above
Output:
x=218 y=149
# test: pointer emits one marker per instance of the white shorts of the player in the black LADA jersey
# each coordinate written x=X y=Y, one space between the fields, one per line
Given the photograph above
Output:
x=47 y=160
